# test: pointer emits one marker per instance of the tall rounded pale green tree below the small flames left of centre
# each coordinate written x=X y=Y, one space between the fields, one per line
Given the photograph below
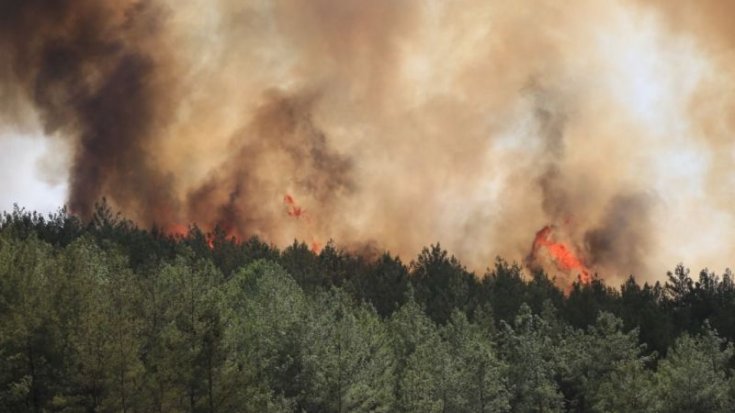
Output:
x=265 y=313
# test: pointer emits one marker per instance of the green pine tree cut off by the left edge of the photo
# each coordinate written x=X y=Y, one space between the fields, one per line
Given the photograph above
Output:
x=29 y=339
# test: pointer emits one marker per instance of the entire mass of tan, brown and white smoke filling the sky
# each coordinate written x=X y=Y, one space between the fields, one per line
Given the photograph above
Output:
x=392 y=123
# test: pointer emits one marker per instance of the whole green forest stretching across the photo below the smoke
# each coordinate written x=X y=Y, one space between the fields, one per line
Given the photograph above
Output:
x=103 y=316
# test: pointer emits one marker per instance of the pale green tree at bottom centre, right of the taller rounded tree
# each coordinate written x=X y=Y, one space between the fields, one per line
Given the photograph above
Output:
x=348 y=361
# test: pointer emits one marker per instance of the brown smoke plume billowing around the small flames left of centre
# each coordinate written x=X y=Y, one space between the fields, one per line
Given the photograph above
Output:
x=281 y=148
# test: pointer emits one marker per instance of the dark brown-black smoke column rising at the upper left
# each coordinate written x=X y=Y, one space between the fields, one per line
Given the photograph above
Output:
x=87 y=68
